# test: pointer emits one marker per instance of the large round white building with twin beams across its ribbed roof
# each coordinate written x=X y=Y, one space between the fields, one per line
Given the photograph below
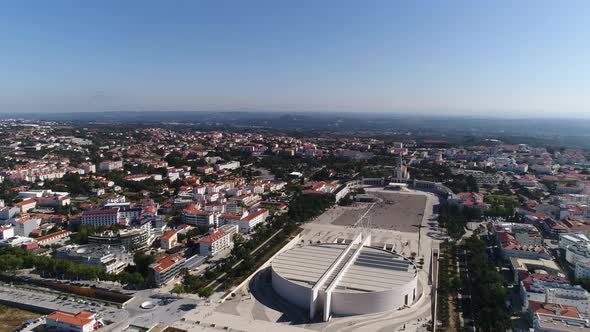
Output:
x=345 y=279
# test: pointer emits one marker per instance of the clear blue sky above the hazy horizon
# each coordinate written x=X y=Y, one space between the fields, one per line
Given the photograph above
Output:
x=421 y=57
